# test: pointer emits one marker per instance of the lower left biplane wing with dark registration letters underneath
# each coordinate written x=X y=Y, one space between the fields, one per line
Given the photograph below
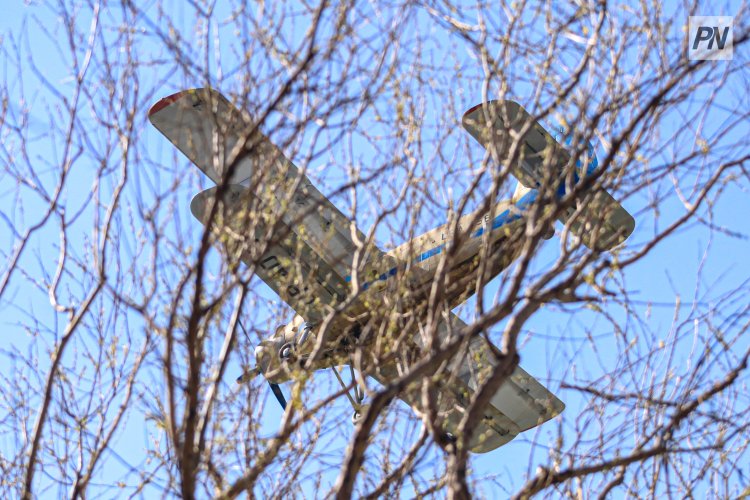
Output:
x=284 y=262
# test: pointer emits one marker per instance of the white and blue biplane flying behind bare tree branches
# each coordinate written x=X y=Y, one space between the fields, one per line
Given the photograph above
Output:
x=266 y=210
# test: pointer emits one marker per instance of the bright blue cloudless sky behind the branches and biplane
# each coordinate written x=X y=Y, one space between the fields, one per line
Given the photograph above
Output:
x=699 y=264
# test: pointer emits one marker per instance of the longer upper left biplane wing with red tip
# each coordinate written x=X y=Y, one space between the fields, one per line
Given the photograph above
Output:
x=215 y=135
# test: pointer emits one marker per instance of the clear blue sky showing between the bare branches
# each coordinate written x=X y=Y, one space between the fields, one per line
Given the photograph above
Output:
x=698 y=265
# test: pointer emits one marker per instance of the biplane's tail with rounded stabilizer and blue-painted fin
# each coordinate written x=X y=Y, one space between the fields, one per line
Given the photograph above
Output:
x=602 y=223
